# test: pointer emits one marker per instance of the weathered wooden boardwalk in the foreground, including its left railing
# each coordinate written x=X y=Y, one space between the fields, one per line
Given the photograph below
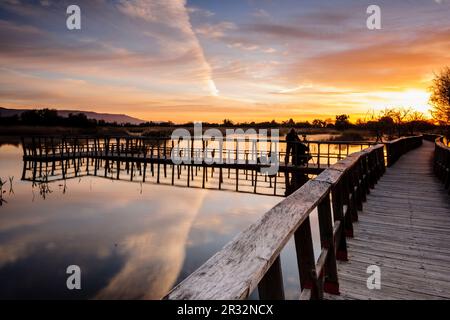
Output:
x=395 y=218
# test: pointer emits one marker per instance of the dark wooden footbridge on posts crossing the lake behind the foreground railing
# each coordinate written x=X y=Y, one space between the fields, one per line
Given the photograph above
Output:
x=144 y=159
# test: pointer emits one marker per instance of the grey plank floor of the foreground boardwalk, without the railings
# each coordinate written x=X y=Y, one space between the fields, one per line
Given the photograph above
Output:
x=404 y=229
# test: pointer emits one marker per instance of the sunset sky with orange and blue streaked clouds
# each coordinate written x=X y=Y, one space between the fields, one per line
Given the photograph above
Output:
x=207 y=60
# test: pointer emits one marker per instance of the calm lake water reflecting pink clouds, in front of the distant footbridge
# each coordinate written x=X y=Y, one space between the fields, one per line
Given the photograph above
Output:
x=131 y=240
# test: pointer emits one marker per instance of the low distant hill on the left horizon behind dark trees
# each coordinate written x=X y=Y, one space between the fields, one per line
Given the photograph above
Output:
x=108 y=117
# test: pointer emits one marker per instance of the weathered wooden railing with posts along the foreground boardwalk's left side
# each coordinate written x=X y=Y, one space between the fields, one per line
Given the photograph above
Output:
x=252 y=259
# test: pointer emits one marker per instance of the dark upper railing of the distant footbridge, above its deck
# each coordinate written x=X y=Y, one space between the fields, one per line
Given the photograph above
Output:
x=322 y=153
